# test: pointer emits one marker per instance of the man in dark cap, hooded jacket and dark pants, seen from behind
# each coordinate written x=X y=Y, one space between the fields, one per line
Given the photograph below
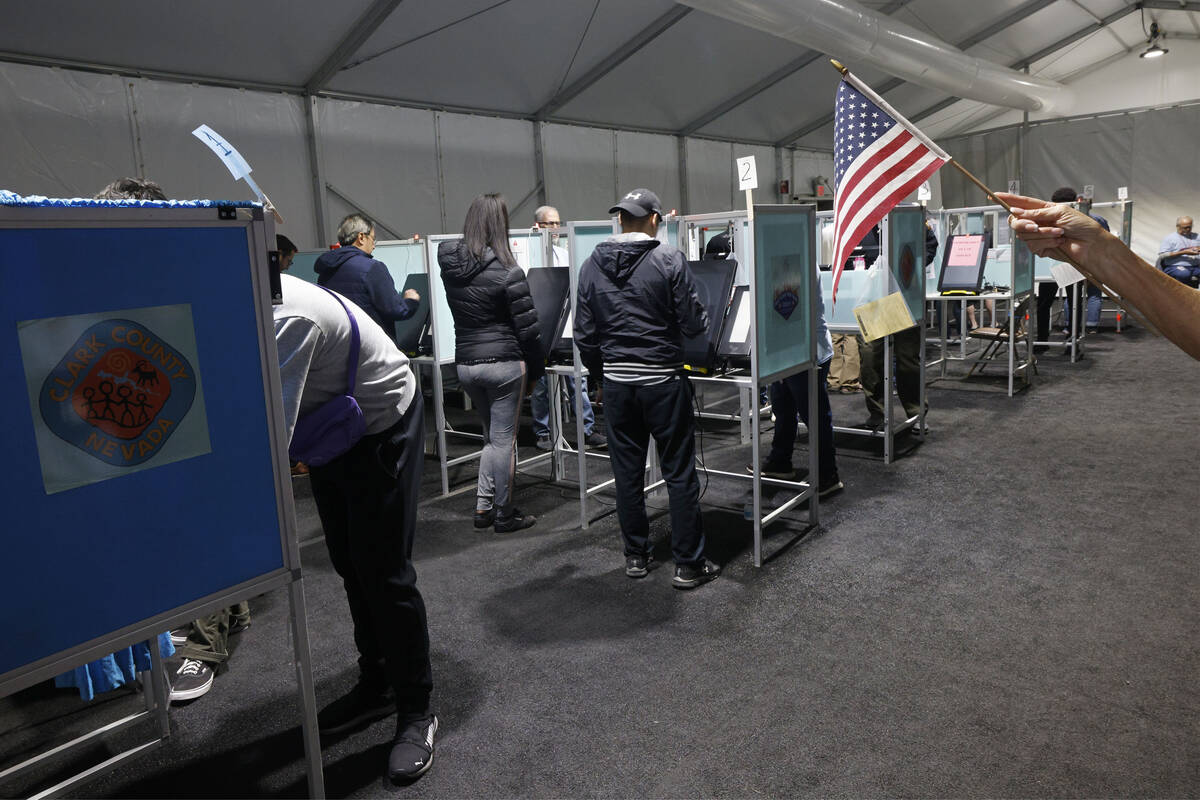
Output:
x=637 y=302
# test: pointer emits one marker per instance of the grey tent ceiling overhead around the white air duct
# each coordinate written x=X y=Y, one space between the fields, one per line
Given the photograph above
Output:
x=640 y=65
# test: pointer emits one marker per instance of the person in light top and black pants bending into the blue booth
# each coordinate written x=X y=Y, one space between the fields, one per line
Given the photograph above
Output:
x=367 y=500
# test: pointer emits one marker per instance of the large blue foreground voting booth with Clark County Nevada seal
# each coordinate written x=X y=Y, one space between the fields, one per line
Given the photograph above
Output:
x=143 y=413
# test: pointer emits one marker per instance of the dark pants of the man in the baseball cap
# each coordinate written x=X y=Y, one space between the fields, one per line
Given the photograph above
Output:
x=633 y=416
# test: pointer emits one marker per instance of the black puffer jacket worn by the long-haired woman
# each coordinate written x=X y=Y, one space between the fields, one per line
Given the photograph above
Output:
x=494 y=314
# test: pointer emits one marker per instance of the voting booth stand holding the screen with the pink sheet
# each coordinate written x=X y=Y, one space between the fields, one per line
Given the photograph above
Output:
x=1010 y=272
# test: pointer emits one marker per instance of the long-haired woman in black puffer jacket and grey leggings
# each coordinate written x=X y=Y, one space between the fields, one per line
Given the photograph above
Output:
x=497 y=348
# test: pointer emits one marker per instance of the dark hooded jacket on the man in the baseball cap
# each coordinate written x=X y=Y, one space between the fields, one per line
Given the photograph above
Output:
x=637 y=303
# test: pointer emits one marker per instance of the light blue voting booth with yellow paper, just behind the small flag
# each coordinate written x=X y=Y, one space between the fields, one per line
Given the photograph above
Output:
x=901 y=268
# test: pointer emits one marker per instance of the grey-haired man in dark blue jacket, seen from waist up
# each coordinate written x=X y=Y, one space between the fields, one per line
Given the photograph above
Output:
x=352 y=273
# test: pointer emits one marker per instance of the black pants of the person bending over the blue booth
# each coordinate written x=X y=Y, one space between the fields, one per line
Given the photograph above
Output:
x=368 y=506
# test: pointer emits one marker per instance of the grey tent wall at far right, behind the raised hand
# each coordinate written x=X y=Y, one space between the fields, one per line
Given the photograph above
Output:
x=1150 y=153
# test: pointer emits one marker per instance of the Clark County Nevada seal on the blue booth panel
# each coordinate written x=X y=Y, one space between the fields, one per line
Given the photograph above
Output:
x=118 y=394
